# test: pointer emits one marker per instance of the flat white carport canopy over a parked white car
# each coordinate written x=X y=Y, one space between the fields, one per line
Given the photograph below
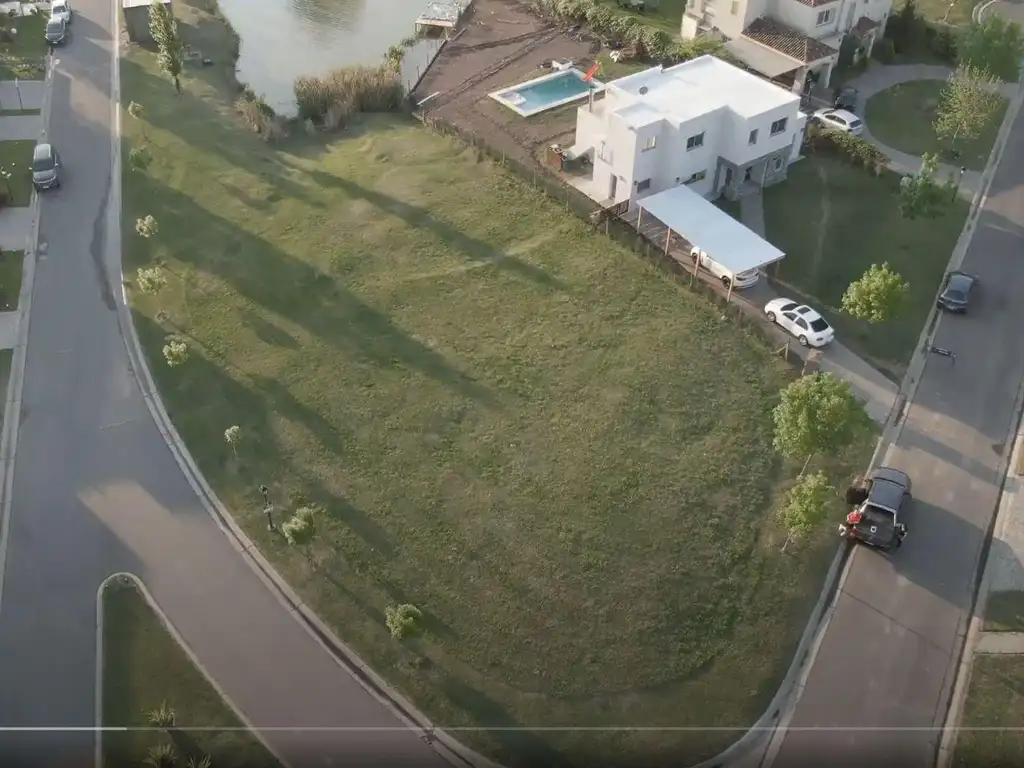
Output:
x=709 y=228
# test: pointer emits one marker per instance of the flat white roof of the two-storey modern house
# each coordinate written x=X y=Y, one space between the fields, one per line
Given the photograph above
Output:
x=702 y=87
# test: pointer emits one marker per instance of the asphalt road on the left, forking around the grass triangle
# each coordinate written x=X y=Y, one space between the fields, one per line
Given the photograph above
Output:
x=97 y=491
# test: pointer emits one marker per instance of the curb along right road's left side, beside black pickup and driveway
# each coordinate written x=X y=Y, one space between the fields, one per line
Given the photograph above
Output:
x=783 y=706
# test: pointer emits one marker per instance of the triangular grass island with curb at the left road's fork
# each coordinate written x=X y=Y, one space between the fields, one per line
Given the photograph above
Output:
x=145 y=669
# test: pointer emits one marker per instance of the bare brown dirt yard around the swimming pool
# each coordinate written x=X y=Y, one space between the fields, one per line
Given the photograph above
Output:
x=504 y=44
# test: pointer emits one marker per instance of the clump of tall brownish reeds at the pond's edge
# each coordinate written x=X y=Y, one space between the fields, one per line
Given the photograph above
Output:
x=351 y=90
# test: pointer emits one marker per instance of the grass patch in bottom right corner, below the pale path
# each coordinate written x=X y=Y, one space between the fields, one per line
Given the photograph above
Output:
x=995 y=707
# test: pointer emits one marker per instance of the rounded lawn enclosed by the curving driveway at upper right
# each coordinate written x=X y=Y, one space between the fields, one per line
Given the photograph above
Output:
x=903 y=117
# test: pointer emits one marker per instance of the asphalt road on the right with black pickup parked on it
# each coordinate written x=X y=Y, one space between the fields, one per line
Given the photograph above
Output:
x=880 y=687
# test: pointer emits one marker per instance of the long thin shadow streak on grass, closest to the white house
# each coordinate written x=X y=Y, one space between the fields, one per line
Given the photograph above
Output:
x=422 y=219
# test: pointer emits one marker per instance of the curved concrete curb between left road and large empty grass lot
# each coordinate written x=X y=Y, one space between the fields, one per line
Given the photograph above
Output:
x=445 y=745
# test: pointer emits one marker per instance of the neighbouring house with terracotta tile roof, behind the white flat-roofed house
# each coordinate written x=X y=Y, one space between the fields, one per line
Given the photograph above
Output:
x=787 y=40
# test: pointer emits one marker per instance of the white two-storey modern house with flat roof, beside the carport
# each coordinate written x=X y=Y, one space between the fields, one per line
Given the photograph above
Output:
x=704 y=124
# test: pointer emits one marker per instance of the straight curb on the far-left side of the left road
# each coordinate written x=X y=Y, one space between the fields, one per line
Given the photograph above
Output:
x=16 y=383
